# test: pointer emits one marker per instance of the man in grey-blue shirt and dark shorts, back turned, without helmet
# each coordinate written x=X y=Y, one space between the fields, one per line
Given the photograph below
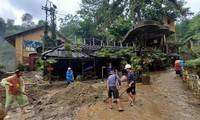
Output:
x=112 y=90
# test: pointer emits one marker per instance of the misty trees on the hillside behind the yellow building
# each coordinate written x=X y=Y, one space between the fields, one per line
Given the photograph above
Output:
x=7 y=51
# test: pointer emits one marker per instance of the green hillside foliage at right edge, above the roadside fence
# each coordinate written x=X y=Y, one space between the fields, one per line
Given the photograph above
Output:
x=189 y=31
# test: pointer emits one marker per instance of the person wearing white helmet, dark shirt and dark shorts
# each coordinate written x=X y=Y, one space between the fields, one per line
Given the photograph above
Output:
x=131 y=91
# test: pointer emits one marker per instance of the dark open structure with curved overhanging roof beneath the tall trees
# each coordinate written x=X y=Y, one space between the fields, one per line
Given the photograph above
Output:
x=149 y=37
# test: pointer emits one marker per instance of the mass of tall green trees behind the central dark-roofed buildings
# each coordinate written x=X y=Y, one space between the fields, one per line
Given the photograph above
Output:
x=111 y=19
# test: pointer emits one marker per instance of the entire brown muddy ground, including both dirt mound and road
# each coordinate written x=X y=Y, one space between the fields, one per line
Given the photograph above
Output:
x=165 y=98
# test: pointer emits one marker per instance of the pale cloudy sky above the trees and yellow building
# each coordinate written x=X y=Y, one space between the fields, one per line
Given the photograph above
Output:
x=14 y=9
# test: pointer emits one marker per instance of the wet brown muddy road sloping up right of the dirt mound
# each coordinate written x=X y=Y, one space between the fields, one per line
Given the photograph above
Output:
x=165 y=99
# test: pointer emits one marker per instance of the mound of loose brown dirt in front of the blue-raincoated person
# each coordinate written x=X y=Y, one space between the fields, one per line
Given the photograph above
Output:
x=64 y=103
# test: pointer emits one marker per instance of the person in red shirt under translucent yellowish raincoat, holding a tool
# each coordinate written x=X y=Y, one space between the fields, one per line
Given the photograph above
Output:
x=14 y=98
